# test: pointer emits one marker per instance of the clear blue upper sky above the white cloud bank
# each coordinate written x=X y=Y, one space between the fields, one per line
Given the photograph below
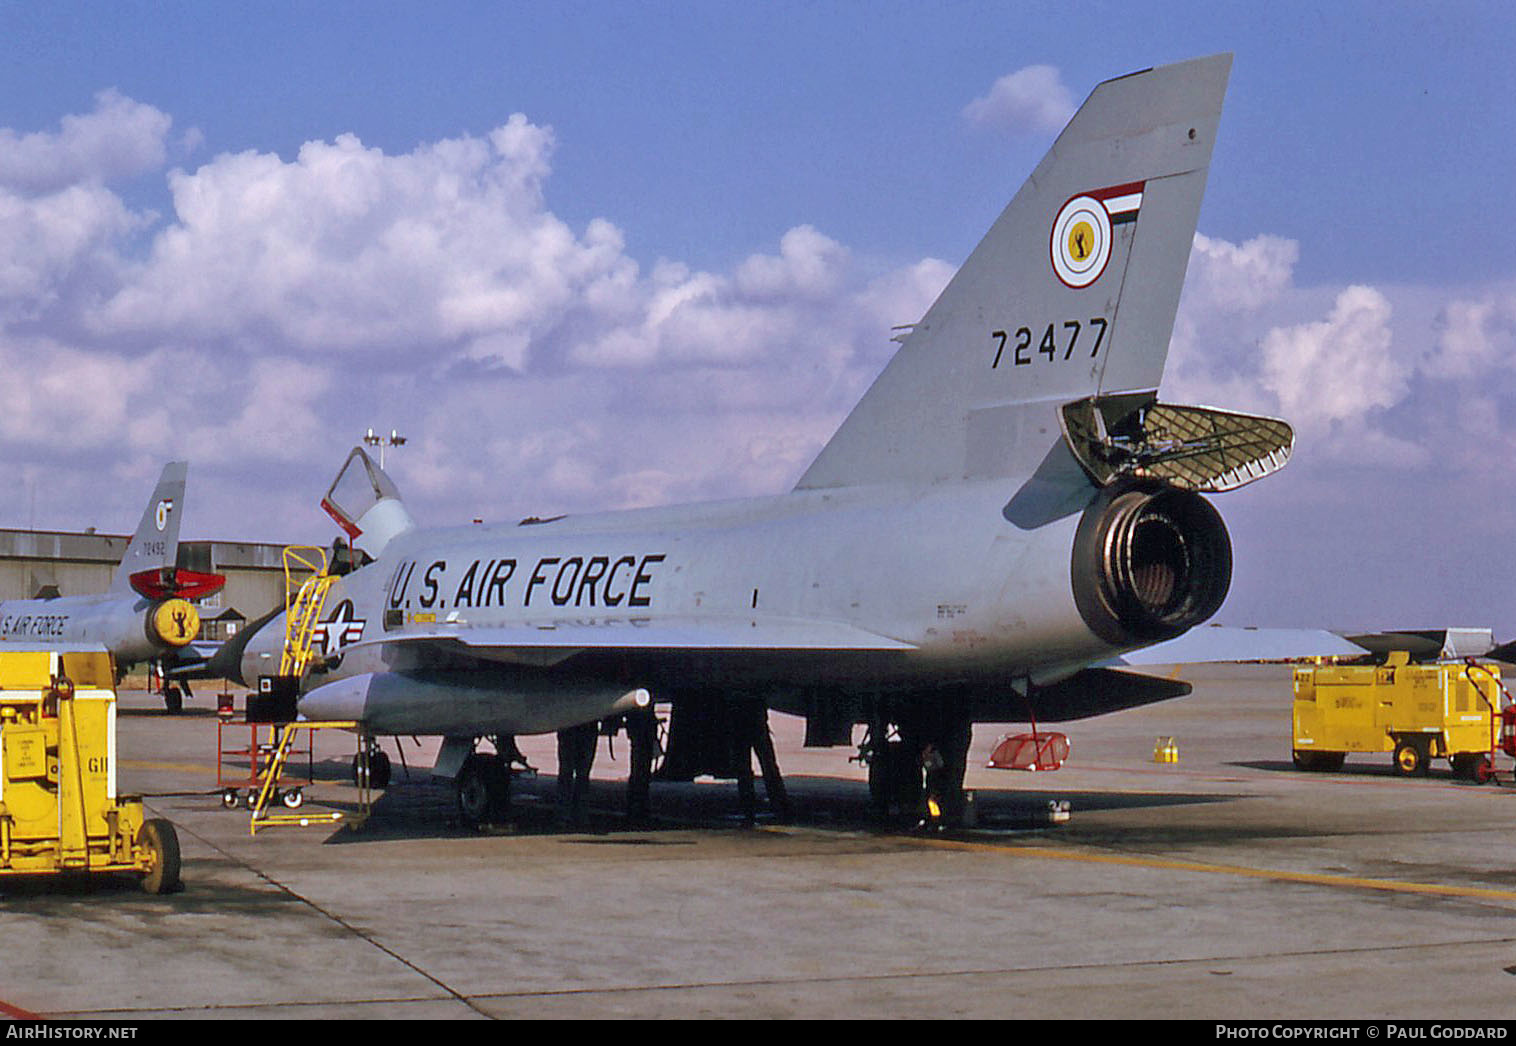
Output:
x=706 y=130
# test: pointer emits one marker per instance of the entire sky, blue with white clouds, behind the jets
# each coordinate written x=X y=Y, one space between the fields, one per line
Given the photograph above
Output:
x=192 y=284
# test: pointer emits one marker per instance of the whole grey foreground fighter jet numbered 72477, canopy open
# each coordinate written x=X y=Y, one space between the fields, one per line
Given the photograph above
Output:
x=1007 y=510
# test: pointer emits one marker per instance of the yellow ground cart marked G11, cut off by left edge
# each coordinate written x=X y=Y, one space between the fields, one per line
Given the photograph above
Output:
x=60 y=810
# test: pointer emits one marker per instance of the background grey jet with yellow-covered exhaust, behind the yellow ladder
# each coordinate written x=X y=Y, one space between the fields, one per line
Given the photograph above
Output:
x=146 y=615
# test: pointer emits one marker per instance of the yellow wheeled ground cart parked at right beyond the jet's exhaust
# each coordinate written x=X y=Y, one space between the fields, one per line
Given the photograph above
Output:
x=1417 y=712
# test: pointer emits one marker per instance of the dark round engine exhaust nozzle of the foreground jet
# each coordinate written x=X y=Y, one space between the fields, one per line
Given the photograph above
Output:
x=1150 y=563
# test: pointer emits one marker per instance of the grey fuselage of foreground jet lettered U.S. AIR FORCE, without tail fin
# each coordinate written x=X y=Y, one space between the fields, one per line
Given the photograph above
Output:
x=859 y=590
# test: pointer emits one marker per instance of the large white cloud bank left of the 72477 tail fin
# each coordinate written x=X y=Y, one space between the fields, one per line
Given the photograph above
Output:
x=286 y=305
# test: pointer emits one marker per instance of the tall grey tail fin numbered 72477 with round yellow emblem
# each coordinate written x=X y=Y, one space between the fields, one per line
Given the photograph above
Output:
x=1070 y=296
